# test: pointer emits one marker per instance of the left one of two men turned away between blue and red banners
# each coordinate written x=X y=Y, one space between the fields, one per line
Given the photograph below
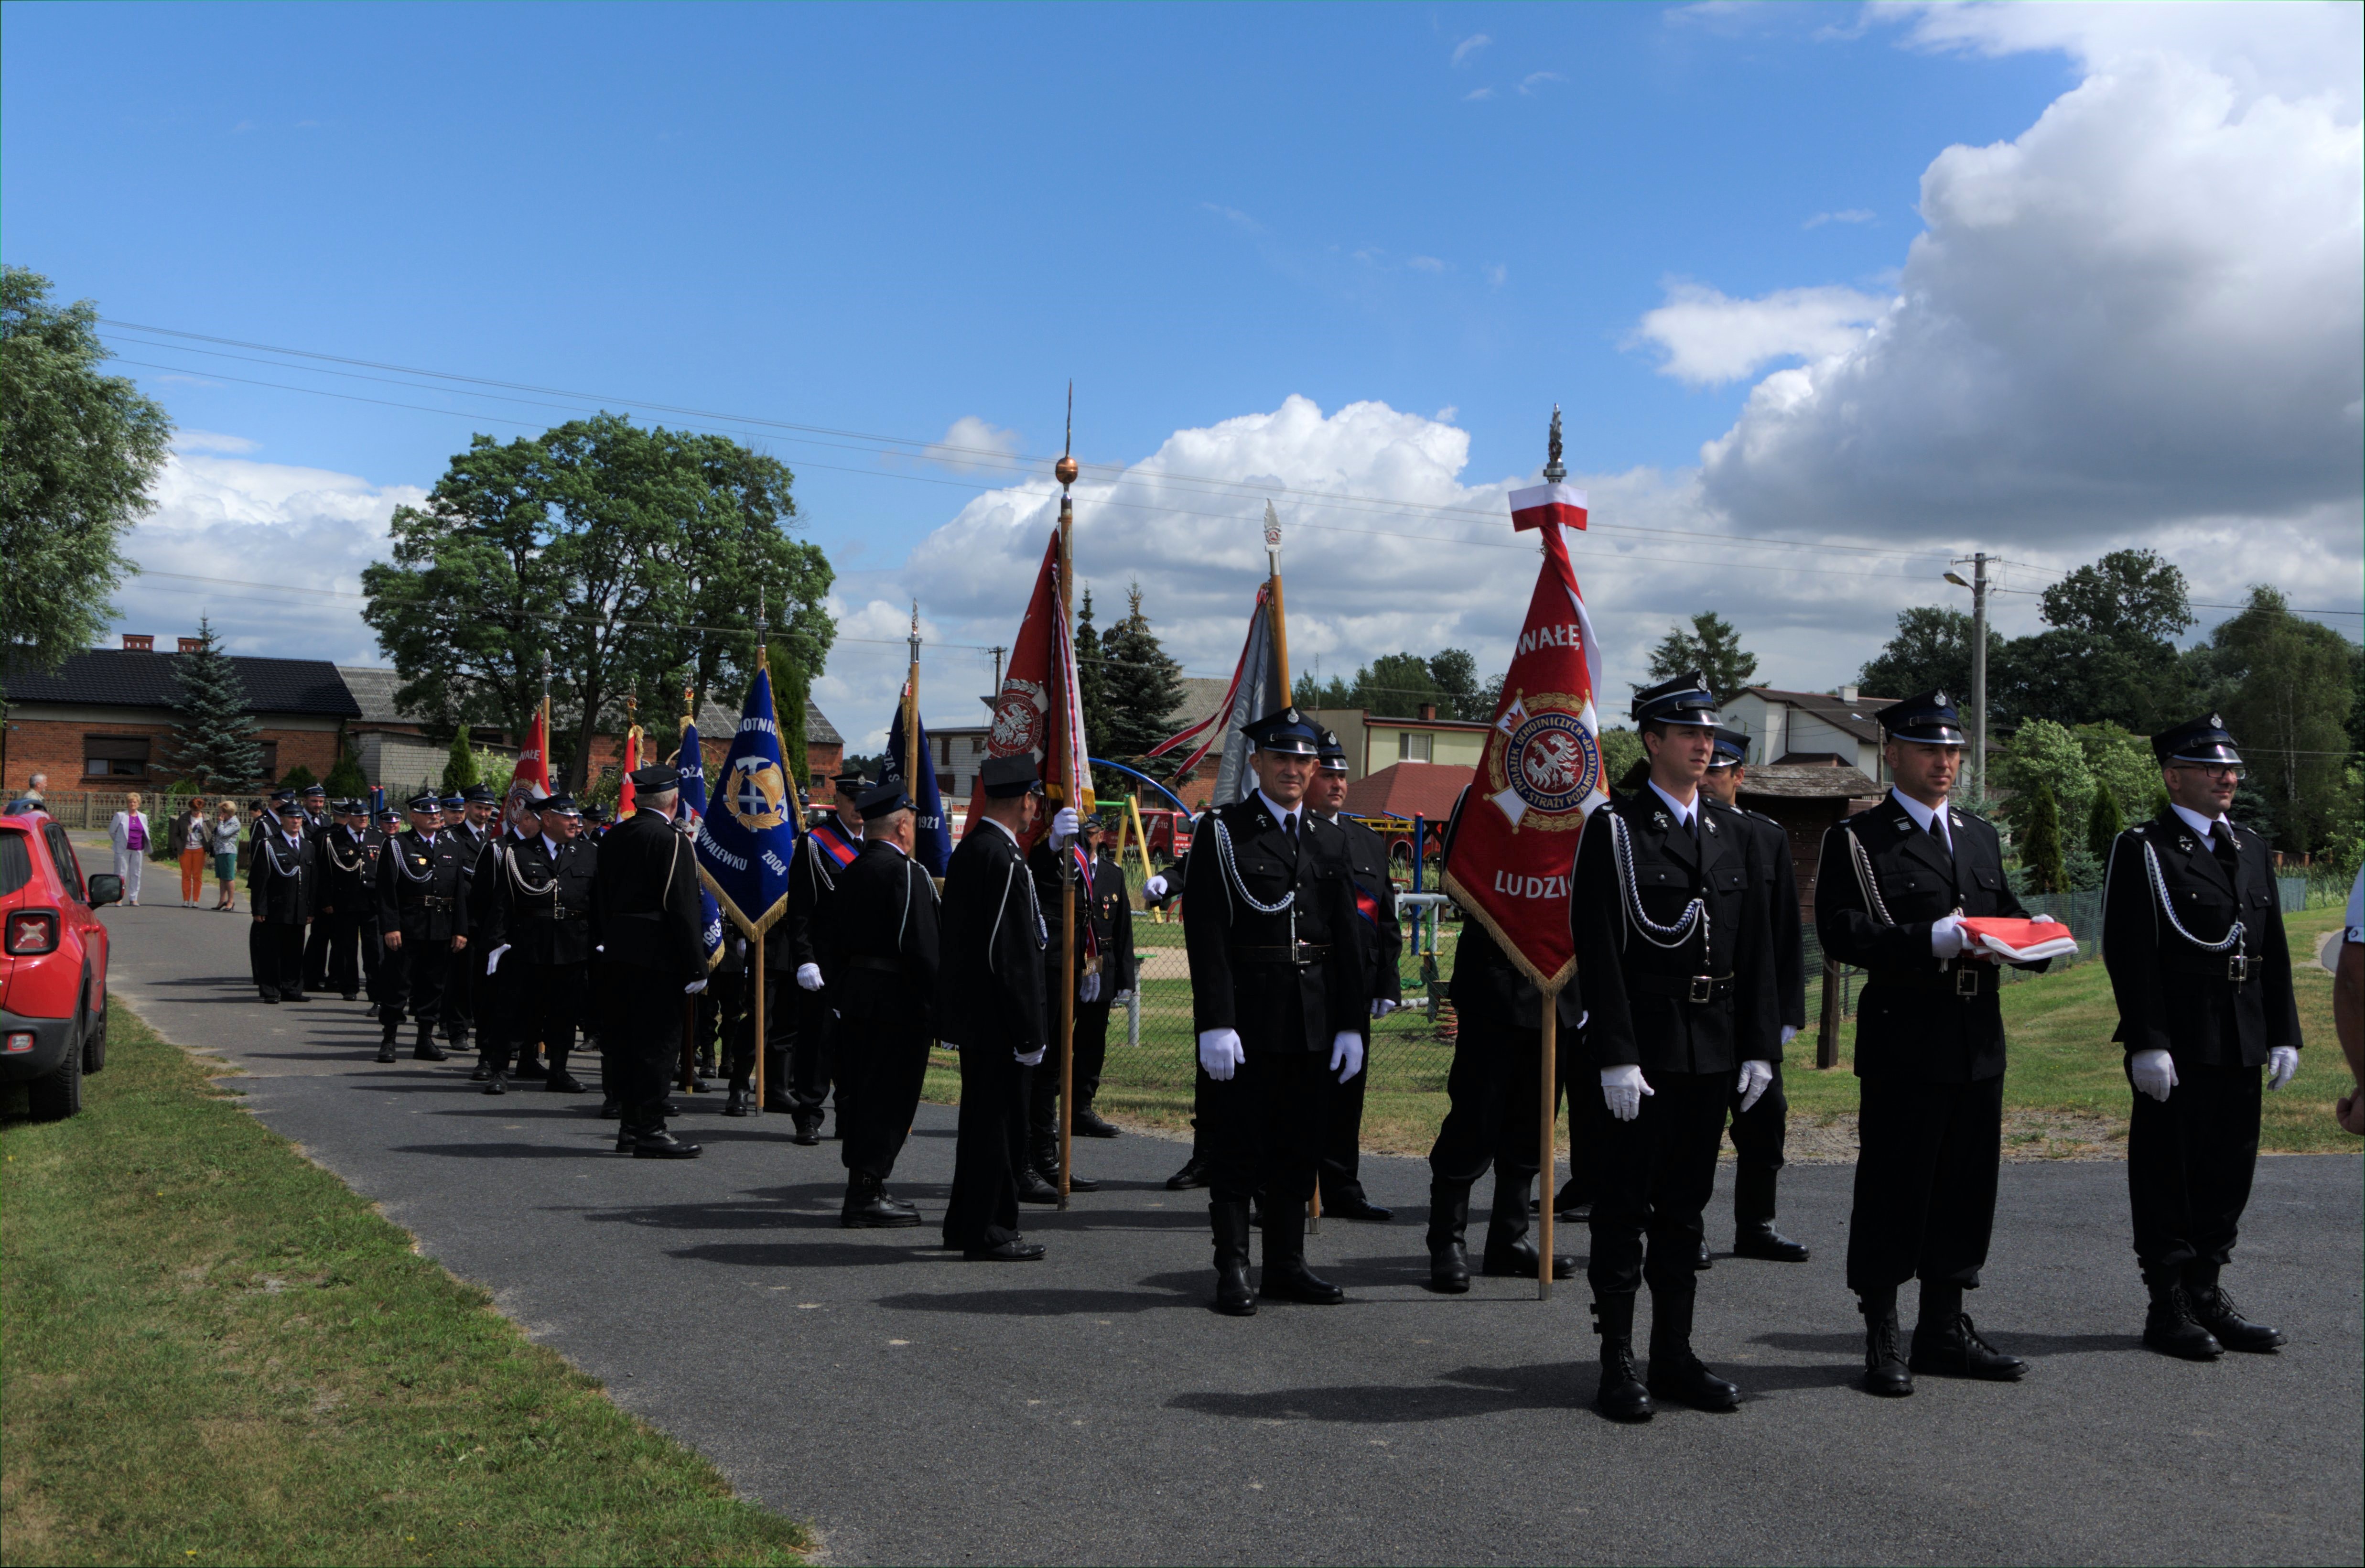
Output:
x=886 y=916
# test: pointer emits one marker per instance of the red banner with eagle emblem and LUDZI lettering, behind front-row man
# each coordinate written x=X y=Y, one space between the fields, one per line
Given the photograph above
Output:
x=1515 y=836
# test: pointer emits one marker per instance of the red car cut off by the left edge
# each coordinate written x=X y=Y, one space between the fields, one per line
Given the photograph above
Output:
x=53 y=966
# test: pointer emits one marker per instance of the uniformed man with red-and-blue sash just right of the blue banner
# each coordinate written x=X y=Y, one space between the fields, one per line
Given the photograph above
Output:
x=805 y=947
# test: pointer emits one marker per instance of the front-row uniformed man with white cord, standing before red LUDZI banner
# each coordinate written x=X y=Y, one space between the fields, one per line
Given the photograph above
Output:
x=1671 y=938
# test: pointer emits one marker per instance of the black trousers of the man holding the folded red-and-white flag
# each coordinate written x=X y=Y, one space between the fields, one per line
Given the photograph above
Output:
x=1926 y=1184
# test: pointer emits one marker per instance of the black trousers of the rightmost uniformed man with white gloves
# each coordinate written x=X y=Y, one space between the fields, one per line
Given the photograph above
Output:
x=2189 y=1167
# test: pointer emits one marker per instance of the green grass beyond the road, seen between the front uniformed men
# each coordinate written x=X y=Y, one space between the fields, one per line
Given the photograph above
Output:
x=2066 y=1091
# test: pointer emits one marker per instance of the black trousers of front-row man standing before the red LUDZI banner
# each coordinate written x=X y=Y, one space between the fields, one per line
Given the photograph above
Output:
x=1652 y=1184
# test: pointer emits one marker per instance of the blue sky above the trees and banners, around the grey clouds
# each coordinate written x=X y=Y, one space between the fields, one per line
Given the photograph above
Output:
x=898 y=219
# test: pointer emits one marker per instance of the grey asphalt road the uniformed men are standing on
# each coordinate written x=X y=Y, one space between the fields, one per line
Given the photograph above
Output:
x=1094 y=1411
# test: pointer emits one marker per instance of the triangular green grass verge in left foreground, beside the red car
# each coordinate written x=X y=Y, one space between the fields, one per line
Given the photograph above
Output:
x=219 y=1354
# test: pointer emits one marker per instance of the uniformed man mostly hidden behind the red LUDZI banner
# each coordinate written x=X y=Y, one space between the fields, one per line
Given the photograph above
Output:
x=1493 y=1106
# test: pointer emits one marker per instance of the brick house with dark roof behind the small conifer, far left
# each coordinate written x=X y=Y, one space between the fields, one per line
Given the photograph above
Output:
x=105 y=718
